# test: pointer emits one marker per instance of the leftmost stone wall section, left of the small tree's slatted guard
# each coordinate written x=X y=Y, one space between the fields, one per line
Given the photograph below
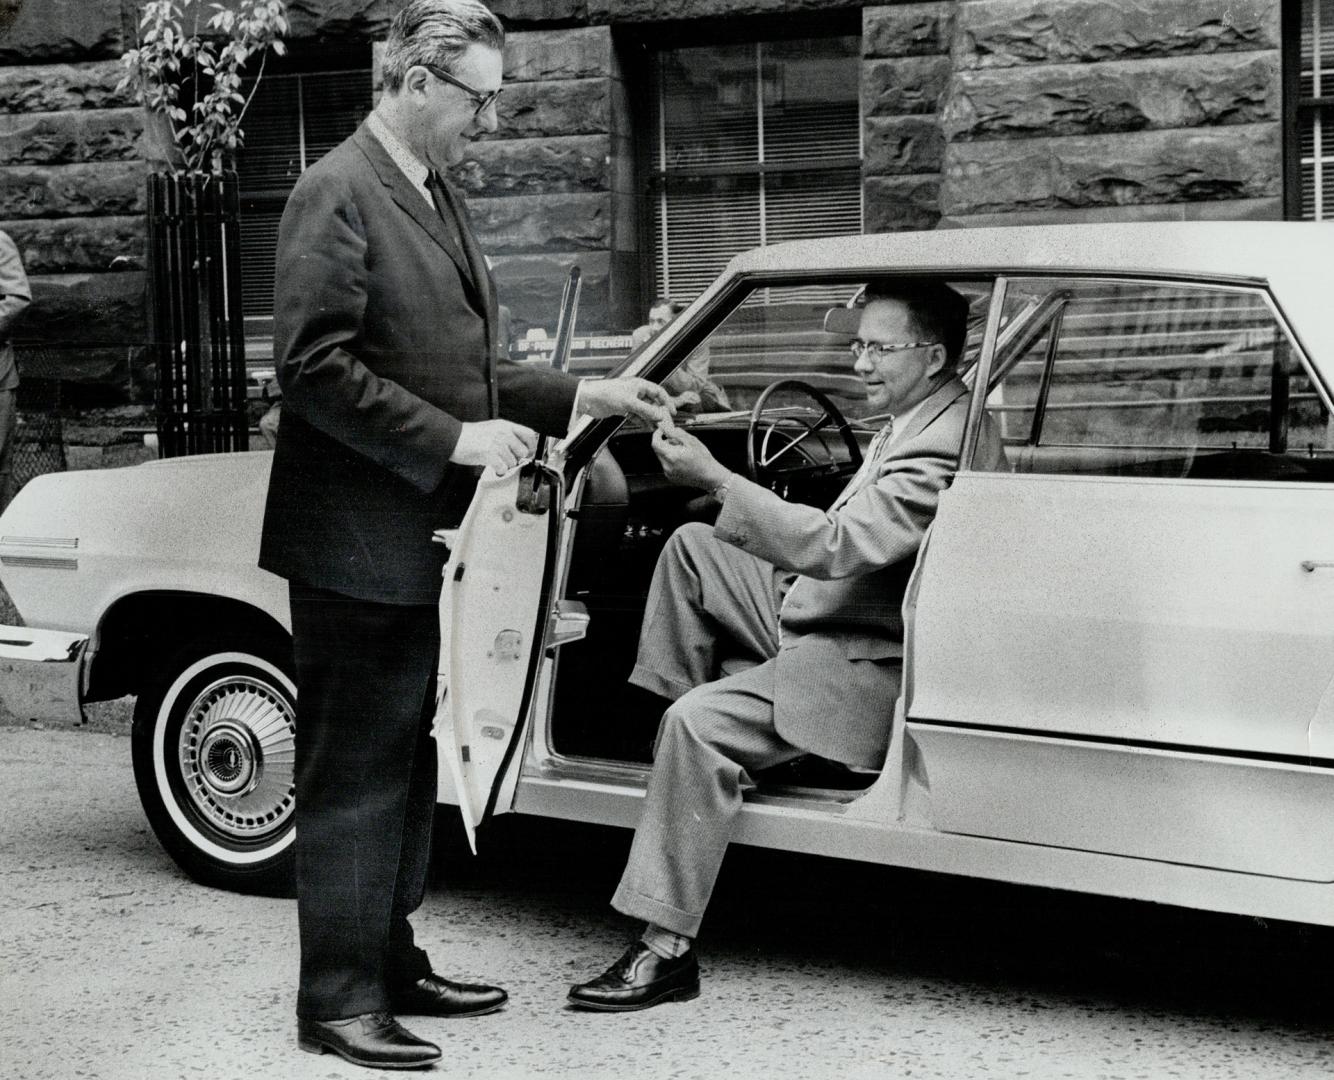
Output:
x=73 y=197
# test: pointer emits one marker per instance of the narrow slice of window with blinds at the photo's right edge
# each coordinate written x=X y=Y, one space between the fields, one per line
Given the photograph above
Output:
x=1316 y=111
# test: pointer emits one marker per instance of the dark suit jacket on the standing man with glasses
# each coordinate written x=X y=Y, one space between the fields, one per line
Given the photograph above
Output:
x=384 y=345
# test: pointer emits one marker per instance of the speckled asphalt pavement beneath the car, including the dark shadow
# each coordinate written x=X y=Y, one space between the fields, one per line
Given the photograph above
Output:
x=114 y=966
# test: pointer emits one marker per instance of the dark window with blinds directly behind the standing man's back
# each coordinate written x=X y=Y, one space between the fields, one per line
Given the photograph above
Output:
x=293 y=122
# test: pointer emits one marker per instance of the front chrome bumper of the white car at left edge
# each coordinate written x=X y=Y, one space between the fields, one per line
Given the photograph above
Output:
x=42 y=674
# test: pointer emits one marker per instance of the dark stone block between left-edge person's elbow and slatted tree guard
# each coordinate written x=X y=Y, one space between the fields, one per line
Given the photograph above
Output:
x=89 y=309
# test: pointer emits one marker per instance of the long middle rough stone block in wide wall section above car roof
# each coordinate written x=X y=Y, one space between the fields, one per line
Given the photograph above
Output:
x=1073 y=99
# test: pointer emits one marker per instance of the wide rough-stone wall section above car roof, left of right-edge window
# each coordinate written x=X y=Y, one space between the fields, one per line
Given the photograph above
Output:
x=1145 y=110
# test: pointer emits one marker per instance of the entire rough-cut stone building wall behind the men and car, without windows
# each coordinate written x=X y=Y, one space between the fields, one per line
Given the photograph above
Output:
x=974 y=111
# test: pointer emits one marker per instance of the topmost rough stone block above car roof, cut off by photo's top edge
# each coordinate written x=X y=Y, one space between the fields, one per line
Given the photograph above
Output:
x=996 y=34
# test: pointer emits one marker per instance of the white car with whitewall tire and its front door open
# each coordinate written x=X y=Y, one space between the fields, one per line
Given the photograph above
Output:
x=1120 y=657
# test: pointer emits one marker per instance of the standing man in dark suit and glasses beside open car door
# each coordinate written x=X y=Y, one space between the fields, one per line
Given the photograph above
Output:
x=393 y=401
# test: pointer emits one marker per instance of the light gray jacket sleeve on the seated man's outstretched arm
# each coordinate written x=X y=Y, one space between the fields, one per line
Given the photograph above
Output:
x=880 y=526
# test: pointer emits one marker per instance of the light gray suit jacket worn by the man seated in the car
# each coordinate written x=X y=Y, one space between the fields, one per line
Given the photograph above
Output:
x=840 y=665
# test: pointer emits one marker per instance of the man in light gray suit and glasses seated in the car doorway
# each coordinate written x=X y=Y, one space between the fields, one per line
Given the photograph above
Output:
x=814 y=597
